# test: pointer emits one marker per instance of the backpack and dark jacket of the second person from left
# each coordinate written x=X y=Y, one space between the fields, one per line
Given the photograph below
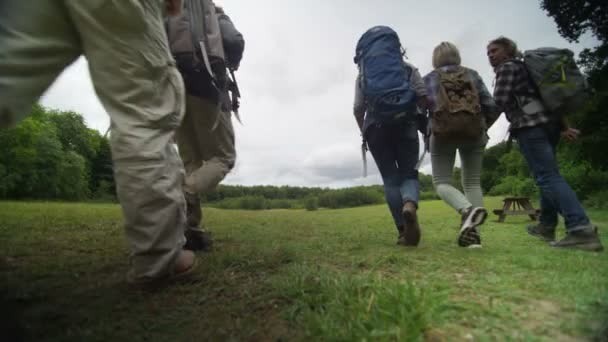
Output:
x=205 y=43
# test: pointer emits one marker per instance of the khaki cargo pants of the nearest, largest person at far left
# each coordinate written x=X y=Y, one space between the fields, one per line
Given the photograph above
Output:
x=135 y=78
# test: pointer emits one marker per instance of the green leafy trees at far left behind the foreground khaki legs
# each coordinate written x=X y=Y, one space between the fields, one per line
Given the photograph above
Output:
x=53 y=155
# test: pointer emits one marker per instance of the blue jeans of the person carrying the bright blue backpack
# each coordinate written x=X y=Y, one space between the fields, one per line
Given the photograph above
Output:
x=395 y=150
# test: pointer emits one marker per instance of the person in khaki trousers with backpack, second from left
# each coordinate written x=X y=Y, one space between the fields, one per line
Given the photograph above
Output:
x=206 y=137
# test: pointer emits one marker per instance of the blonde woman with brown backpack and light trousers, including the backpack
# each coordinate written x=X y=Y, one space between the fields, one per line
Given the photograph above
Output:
x=461 y=111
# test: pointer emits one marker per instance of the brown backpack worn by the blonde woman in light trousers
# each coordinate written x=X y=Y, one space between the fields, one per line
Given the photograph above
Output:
x=457 y=116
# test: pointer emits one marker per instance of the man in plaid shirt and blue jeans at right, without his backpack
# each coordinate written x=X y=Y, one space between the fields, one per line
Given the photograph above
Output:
x=537 y=132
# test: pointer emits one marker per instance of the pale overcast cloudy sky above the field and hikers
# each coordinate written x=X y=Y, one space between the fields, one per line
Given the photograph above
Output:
x=297 y=77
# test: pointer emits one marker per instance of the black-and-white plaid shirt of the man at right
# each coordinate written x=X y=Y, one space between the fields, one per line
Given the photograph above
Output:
x=512 y=90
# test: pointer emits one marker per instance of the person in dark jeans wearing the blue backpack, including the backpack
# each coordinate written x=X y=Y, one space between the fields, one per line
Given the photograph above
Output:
x=387 y=90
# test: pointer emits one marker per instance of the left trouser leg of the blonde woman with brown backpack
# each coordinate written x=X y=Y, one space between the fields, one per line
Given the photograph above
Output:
x=443 y=156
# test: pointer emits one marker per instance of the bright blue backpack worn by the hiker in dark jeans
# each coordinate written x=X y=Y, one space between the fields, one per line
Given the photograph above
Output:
x=385 y=76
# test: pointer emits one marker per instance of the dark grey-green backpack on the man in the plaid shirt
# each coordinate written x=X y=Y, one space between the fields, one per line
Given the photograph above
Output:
x=561 y=85
